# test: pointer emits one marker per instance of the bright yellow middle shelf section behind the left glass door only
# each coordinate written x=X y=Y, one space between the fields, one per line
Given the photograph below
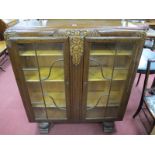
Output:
x=32 y=75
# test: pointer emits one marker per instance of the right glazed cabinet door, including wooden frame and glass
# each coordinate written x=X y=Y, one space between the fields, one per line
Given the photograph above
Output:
x=108 y=66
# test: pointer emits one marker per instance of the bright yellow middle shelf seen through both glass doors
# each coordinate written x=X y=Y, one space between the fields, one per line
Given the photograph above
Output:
x=57 y=74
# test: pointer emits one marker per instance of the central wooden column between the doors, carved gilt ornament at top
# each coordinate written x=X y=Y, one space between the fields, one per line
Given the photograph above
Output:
x=76 y=67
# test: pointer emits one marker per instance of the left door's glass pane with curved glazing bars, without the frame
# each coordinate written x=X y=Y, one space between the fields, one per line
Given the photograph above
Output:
x=43 y=68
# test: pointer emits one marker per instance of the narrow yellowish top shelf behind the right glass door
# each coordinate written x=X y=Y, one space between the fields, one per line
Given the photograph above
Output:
x=110 y=52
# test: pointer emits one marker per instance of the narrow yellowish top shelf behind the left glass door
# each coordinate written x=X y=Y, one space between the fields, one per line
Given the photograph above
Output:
x=42 y=53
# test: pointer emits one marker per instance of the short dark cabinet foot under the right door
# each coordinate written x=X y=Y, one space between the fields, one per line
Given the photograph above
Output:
x=108 y=127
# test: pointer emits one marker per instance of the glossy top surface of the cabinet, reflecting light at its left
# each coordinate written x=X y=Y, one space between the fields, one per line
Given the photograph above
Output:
x=72 y=24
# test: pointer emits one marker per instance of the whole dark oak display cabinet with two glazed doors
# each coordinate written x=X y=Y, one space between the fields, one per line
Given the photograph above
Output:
x=74 y=70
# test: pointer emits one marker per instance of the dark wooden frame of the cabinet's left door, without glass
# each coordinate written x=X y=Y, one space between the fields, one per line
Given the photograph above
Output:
x=12 y=44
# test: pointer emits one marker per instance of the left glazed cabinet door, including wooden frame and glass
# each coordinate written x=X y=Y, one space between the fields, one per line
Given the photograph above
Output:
x=44 y=68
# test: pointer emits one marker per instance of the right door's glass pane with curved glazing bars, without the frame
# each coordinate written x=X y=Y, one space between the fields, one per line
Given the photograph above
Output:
x=109 y=63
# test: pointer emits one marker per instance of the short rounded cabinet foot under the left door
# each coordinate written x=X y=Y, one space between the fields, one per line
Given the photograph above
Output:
x=44 y=127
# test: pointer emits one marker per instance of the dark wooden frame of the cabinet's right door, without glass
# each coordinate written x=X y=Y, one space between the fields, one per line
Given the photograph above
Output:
x=136 y=56
